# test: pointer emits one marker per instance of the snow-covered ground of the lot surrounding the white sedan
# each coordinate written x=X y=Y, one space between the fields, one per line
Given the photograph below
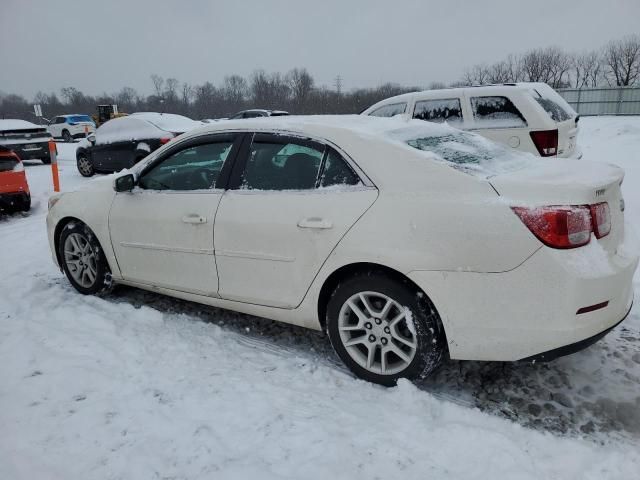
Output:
x=136 y=385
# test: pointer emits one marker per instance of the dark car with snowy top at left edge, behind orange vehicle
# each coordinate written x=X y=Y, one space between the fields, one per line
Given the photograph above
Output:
x=27 y=140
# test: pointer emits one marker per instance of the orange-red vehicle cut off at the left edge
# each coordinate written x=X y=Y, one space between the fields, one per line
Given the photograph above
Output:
x=14 y=190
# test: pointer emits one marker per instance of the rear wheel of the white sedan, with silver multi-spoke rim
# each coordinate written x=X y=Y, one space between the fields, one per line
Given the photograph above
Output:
x=399 y=334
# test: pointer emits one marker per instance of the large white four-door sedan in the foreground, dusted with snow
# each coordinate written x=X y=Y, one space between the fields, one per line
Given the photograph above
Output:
x=404 y=240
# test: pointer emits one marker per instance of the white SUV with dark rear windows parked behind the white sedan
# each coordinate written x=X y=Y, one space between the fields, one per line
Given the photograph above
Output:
x=531 y=117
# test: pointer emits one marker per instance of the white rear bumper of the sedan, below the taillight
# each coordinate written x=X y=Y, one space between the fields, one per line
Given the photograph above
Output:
x=534 y=308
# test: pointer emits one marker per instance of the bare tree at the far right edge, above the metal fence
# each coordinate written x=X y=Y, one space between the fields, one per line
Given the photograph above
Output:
x=622 y=60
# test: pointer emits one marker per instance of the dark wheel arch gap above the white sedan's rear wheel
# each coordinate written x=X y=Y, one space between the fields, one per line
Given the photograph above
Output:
x=346 y=271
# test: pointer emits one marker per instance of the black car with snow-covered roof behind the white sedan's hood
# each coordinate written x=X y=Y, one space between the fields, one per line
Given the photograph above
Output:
x=122 y=142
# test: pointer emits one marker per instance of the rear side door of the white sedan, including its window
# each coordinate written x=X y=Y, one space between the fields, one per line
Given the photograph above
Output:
x=278 y=223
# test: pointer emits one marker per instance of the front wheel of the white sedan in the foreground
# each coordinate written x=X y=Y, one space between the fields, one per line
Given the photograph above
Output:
x=83 y=260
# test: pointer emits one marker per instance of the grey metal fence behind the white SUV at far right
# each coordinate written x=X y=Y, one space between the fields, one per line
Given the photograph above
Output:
x=603 y=100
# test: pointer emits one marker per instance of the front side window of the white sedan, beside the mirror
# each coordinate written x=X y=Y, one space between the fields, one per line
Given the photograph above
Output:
x=193 y=168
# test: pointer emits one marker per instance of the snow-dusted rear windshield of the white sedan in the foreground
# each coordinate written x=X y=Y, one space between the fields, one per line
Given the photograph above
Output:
x=468 y=152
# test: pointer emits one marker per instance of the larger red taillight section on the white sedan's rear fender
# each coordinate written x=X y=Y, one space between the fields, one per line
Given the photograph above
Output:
x=558 y=227
